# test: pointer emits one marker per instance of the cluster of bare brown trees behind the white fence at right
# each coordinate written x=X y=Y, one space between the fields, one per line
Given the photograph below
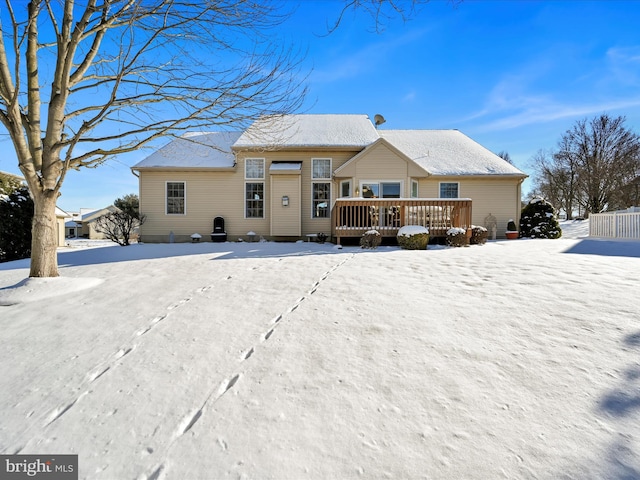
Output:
x=595 y=167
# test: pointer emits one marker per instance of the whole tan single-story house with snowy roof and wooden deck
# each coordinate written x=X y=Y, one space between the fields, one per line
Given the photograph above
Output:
x=296 y=175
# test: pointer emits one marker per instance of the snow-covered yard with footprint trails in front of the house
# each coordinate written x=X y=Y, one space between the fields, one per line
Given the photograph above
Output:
x=516 y=359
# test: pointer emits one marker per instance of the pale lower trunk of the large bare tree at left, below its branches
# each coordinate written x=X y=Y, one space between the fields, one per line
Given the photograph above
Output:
x=44 y=242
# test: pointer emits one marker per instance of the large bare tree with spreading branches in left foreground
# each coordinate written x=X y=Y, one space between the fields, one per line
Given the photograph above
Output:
x=81 y=82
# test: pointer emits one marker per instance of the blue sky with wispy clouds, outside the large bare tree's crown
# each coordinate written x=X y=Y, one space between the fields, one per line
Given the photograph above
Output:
x=512 y=75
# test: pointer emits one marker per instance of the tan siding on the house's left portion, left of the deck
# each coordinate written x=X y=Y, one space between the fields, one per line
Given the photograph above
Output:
x=212 y=193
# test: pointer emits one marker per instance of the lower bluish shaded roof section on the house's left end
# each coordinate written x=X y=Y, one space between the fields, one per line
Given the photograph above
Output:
x=194 y=150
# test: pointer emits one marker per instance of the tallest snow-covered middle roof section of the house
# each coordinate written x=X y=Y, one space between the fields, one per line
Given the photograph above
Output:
x=307 y=130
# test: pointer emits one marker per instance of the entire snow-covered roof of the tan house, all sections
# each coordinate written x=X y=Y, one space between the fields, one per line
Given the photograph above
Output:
x=437 y=152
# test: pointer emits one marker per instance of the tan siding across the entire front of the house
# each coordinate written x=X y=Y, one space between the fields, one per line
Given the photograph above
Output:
x=211 y=193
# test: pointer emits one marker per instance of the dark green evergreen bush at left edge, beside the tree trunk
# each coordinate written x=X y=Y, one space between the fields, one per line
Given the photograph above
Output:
x=16 y=215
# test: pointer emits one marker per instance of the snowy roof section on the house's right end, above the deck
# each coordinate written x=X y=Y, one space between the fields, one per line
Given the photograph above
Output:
x=448 y=152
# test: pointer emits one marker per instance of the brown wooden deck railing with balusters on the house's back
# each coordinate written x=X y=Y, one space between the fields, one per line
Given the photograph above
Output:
x=352 y=217
